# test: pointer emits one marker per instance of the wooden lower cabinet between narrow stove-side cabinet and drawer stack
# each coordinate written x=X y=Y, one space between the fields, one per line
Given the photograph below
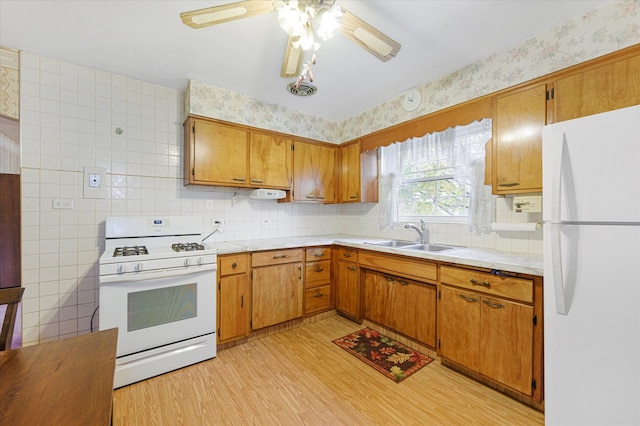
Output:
x=277 y=287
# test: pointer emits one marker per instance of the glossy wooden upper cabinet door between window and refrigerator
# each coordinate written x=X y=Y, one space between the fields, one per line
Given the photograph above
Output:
x=518 y=119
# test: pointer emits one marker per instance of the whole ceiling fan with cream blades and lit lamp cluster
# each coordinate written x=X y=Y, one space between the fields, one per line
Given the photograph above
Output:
x=308 y=15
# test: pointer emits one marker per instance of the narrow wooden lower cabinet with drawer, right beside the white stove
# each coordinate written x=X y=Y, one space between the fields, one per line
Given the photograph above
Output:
x=234 y=298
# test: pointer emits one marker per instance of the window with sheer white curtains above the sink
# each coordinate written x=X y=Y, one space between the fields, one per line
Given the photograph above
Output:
x=432 y=176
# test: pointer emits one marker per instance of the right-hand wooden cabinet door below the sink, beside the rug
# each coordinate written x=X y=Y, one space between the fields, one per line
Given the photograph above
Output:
x=415 y=310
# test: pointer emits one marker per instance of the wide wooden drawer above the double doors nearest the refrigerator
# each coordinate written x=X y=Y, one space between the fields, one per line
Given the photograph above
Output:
x=511 y=287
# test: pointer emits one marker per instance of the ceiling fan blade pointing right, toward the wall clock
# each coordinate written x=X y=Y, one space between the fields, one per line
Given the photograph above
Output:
x=372 y=40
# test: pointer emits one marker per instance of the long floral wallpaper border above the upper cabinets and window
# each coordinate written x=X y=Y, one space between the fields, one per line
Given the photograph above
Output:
x=600 y=31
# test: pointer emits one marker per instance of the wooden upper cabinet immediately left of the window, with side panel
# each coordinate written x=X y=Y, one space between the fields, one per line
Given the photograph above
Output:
x=358 y=174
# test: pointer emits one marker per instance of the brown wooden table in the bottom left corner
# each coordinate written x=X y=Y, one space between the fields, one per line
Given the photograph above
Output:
x=67 y=382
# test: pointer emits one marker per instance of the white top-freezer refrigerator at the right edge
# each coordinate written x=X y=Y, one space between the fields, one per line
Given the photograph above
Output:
x=591 y=213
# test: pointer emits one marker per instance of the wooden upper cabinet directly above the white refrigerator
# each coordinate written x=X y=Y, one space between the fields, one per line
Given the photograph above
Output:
x=605 y=88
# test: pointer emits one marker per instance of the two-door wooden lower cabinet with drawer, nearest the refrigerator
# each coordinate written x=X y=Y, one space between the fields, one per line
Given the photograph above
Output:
x=490 y=335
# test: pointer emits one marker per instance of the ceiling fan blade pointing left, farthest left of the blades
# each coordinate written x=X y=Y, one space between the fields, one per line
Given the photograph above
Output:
x=225 y=13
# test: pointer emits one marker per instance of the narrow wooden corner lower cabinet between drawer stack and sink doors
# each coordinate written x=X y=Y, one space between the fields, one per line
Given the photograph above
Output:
x=347 y=284
